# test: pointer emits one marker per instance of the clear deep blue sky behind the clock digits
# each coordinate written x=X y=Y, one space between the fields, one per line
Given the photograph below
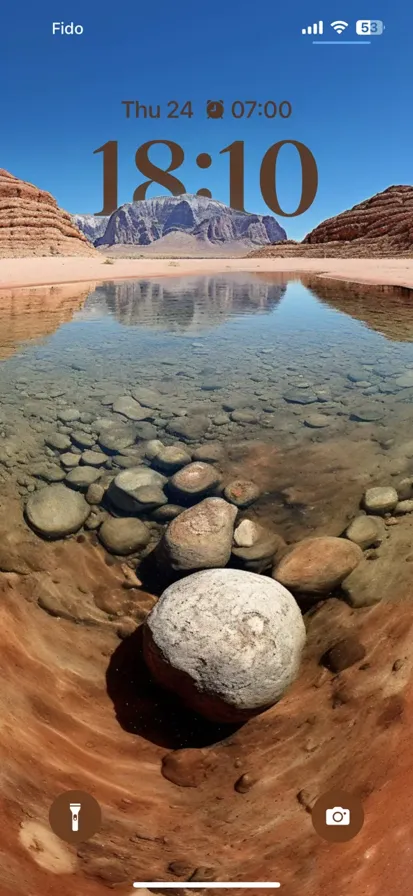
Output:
x=61 y=96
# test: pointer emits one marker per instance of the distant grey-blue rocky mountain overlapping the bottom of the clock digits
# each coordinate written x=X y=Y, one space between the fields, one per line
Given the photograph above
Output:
x=205 y=222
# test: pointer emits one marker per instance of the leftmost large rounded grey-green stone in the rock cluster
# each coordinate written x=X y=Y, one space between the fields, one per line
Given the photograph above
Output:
x=56 y=511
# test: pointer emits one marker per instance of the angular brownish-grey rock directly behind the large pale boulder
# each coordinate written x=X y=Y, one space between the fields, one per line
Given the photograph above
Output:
x=201 y=537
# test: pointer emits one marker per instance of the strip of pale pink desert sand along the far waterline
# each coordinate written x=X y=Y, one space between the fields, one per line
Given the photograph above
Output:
x=22 y=272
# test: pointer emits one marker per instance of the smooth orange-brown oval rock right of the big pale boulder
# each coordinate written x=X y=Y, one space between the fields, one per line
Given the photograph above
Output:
x=317 y=565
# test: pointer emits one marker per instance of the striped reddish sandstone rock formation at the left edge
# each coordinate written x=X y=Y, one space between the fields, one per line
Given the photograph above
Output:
x=31 y=222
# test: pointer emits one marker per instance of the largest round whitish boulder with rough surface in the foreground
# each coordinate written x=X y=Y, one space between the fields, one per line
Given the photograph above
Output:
x=227 y=642
